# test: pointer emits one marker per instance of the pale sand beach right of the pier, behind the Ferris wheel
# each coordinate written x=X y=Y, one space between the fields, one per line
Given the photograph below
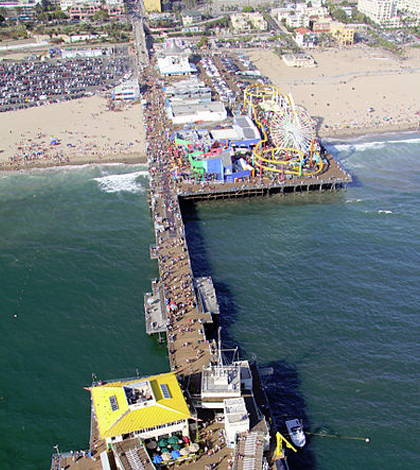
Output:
x=352 y=91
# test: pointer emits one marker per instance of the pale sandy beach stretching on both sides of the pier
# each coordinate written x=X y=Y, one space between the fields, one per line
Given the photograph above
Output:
x=350 y=92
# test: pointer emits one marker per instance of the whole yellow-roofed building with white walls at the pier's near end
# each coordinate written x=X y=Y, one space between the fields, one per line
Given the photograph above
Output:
x=146 y=408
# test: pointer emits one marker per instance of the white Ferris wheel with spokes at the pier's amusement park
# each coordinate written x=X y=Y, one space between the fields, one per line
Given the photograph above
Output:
x=292 y=127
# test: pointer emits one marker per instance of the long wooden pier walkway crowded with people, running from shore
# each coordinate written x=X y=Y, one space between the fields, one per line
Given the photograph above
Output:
x=187 y=342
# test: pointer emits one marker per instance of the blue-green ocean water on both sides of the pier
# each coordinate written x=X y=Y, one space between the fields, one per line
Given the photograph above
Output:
x=322 y=290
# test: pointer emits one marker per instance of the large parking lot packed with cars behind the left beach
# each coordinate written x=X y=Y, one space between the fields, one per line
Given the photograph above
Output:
x=33 y=83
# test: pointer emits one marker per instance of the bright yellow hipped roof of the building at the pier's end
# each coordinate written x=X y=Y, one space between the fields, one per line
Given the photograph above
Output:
x=116 y=417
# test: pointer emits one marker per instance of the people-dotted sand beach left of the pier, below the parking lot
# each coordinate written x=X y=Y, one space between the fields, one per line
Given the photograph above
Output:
x=72 y=132
